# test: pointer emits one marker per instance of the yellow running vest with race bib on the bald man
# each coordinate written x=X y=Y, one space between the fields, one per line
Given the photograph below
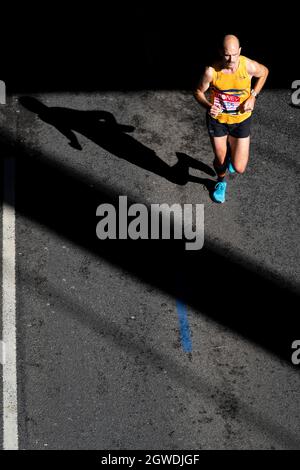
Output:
x=230 y=90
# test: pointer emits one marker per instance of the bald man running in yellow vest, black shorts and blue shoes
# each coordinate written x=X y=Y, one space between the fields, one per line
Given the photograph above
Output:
x=229 y=109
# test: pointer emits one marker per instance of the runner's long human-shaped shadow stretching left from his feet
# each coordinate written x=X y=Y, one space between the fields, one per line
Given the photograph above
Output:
x=102 y=128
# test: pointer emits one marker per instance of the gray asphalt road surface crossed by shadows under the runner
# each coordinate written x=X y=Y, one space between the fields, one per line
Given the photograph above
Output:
x=100 y=362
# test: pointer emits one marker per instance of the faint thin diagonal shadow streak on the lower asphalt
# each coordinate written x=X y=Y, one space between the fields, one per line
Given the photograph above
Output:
x=158 y=359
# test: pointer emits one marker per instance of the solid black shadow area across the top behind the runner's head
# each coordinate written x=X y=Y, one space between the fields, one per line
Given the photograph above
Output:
x=136 y=47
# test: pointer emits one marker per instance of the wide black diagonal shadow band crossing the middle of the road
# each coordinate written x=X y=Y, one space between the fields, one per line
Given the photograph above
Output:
x=247 y=299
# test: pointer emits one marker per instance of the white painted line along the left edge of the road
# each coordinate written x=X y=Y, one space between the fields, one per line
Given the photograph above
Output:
x=10 y=404
